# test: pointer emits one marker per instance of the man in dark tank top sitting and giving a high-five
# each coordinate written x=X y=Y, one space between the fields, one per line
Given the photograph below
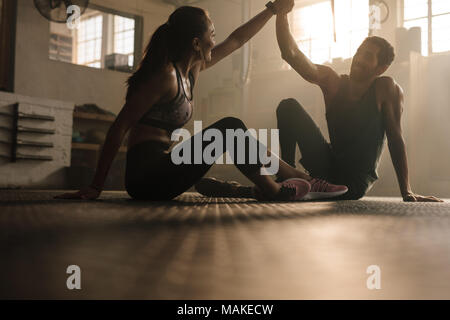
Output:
x=362 y=108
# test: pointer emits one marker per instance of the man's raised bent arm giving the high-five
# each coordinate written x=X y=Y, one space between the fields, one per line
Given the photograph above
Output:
x=321 y=75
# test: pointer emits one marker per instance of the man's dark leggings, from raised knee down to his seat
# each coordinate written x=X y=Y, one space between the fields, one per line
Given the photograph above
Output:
x=297 y=128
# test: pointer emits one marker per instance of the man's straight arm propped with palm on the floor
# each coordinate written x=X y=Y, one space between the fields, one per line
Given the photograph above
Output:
x=392 y=109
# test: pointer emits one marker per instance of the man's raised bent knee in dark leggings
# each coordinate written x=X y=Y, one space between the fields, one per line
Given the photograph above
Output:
x=297 y=128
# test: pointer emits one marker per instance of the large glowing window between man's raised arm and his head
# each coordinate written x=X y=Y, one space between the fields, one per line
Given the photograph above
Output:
x=314 y=32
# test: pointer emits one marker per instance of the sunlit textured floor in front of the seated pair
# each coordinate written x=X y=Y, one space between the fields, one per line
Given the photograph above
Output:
x=213 y=248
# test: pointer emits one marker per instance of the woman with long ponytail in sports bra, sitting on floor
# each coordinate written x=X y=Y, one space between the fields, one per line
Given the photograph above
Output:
x=159 y=100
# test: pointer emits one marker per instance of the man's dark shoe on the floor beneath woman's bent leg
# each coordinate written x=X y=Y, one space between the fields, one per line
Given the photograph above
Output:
x=211 y=187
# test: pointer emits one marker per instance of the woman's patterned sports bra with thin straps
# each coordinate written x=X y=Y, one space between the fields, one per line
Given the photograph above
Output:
x=173 y=114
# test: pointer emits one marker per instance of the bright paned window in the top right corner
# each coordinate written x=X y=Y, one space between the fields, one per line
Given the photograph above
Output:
x=433 y=17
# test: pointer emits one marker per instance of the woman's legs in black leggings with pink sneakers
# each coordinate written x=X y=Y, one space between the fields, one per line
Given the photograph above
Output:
x=163 y=179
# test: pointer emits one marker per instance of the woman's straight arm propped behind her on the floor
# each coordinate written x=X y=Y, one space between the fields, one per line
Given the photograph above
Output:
x=139 y=103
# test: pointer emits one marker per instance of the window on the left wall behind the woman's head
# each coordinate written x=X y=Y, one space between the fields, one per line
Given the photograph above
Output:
x=103 y=39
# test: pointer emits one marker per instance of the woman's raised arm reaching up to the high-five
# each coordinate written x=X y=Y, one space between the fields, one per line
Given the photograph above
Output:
x=246 y=31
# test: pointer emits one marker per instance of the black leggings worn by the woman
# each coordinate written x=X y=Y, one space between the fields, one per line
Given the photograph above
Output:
x=151 y=174
